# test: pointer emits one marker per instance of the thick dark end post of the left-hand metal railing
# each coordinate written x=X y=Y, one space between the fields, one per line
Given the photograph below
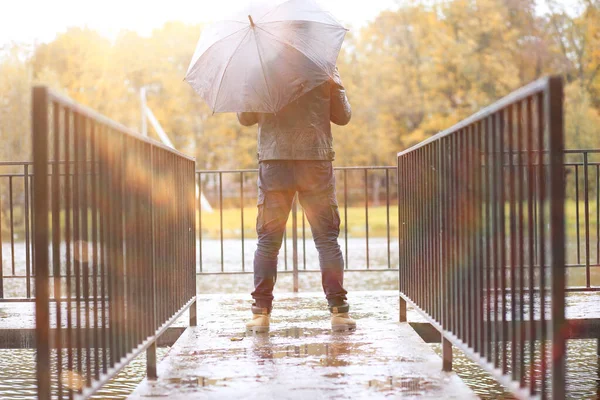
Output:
x=40 y=215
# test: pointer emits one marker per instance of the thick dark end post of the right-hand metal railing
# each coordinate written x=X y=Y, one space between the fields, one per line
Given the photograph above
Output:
x=554 y=115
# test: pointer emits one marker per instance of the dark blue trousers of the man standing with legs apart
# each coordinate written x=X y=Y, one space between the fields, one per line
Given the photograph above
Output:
x=278 y=182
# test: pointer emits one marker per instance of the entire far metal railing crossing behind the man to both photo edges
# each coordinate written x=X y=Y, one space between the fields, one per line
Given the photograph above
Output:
x=377 y=221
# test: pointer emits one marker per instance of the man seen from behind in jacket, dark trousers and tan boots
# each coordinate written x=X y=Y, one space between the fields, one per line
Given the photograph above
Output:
x=295 y=154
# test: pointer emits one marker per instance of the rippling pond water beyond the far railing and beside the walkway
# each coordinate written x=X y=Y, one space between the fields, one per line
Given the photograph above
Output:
x=20 y=382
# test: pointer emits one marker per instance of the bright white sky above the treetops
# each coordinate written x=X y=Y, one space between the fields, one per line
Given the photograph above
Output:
x=41 y=20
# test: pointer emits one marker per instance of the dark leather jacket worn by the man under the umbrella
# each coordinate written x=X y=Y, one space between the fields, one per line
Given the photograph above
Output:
x=302 y=129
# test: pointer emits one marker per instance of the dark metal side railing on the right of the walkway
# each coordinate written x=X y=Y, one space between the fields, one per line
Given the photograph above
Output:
x=482 y=238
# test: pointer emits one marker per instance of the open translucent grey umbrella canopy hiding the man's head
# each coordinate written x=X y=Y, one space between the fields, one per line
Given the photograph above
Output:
x=266 y=56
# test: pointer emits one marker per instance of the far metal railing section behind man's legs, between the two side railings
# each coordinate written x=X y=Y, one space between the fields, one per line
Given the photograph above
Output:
x=361 y=191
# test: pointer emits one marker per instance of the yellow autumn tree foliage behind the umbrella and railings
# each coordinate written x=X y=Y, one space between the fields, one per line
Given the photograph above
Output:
x=409 y=74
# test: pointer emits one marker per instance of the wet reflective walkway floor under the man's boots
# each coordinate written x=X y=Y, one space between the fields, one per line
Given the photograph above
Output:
x=301 y=358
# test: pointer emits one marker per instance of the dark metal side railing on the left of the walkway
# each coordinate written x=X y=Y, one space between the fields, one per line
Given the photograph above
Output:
x=114 y=222
